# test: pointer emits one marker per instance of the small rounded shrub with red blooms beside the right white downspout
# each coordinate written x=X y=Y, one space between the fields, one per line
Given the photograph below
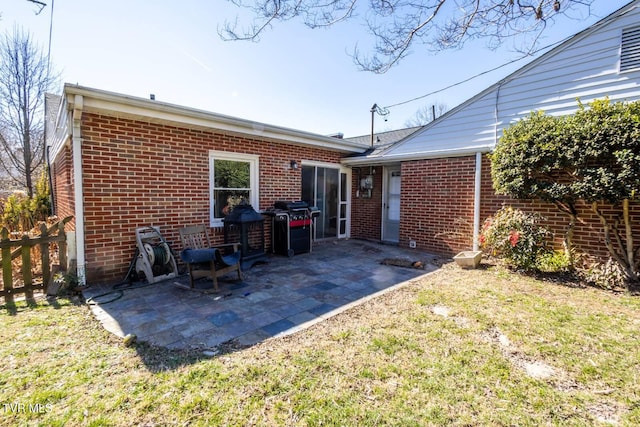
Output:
x=516 y=236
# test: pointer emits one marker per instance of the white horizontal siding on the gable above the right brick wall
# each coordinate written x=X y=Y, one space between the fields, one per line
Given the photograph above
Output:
x=586 y=67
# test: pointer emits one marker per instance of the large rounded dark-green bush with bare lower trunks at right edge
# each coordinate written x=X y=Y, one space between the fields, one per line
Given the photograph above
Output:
x=593 y=156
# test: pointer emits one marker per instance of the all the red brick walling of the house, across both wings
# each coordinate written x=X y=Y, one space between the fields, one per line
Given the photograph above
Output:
x=139 y=174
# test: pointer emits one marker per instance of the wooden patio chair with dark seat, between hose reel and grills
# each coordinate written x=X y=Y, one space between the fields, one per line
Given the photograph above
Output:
x=204 y=260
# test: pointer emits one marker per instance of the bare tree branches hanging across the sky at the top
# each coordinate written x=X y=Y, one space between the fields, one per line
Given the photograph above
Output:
x=398 y=25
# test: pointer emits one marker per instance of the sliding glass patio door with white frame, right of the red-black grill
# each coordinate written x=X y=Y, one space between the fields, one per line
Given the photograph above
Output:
x=327 y=188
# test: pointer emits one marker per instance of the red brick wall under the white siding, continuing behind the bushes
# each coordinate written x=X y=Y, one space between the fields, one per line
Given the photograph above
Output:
x=439 y=192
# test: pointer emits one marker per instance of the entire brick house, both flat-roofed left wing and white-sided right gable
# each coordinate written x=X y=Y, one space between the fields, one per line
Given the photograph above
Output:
x=120 y=162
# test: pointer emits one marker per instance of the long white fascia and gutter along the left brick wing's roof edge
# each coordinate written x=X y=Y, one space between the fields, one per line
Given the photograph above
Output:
x=161 y=112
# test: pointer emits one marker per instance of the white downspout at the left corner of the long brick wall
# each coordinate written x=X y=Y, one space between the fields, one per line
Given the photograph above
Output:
x=77 y=186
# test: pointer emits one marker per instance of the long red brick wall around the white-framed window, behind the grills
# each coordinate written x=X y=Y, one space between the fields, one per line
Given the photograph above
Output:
x=139 y=174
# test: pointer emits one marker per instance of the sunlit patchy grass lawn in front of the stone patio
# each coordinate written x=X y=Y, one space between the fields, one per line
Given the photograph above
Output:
x=468 y=348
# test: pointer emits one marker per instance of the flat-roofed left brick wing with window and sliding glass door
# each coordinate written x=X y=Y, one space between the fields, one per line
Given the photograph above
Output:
x=119 y=162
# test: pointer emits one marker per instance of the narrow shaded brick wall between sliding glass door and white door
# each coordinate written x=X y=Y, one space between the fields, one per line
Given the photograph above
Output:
x=366 y=222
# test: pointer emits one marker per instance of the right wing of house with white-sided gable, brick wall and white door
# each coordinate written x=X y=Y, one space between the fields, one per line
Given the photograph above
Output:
x=437 y=181
